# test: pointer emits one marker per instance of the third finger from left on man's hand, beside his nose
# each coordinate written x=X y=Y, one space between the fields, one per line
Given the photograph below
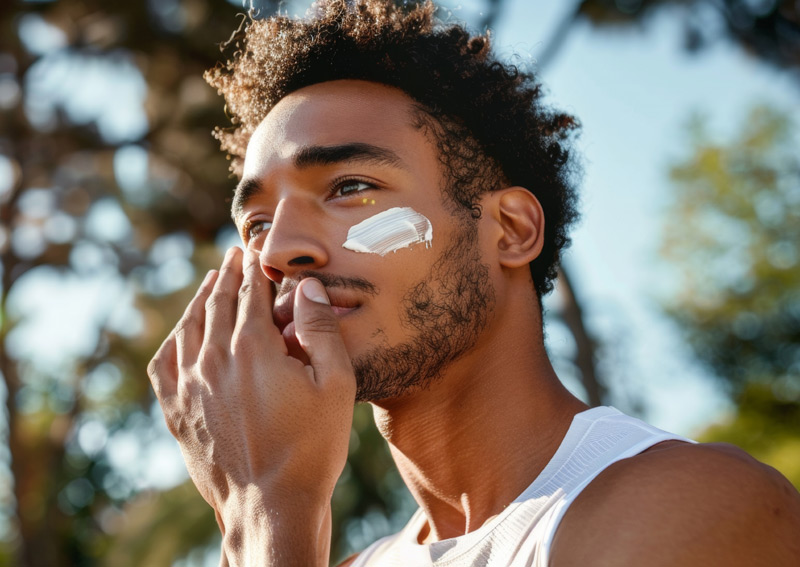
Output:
x=256 y=300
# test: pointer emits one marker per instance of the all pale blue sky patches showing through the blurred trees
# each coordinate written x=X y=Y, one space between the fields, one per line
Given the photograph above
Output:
x=634 y=90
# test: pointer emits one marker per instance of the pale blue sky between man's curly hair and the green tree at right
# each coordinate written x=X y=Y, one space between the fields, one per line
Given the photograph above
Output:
x=634 y=91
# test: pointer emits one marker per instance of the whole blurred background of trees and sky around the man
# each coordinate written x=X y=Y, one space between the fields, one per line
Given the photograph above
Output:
x=679 y=300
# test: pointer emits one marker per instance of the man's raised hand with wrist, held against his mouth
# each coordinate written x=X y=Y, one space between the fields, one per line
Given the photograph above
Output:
x=264 y=435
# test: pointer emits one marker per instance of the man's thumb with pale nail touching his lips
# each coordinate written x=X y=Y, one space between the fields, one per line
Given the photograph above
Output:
x=317 y=330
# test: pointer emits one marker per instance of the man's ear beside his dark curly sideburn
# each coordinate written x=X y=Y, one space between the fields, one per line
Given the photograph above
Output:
x=520 y=218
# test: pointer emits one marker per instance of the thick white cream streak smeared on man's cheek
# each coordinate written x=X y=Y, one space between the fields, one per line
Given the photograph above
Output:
x=388 y=231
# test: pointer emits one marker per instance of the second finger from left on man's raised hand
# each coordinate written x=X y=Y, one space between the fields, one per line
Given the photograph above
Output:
x=221 y=304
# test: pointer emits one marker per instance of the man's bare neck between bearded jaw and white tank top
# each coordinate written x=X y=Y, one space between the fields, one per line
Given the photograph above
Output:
x=469 y=444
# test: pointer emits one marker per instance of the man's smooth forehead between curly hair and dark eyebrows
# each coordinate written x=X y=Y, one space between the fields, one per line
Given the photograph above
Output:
x=333 y=113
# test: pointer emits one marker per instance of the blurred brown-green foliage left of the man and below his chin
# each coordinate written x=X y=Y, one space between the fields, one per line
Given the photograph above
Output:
x=134 y=215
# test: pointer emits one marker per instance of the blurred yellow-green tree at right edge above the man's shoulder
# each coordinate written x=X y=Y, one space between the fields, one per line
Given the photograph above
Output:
x=733 y=236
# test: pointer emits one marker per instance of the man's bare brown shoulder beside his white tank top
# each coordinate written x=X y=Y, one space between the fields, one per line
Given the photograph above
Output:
x=683 y=504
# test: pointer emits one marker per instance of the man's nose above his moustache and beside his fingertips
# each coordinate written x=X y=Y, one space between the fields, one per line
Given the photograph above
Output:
x=293 y=242
